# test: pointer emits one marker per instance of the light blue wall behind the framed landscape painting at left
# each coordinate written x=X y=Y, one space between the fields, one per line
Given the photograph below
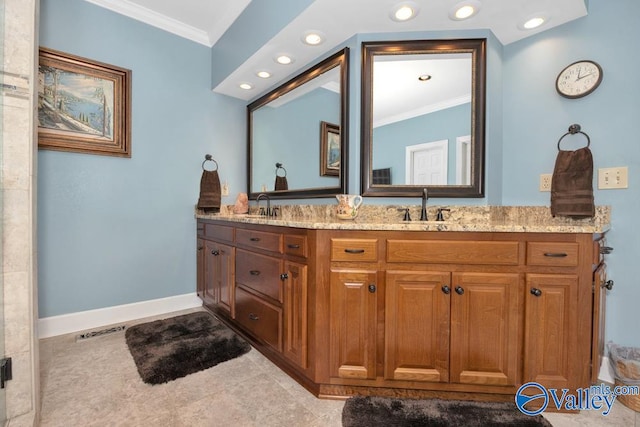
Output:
x=113 y=231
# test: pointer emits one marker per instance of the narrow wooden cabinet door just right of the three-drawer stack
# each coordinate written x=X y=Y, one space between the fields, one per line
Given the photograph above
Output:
x=295 y=313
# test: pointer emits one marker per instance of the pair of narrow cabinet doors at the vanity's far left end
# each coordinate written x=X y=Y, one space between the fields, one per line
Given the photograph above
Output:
x=219 y=276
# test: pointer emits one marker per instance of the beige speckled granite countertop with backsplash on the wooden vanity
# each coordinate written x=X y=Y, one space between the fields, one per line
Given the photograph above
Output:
x=528 y=219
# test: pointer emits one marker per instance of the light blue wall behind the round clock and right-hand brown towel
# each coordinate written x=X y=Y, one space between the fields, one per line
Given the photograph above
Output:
x=535 y=117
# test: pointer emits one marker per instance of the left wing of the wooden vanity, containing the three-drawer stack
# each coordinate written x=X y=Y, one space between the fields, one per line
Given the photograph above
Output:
x=257 y=282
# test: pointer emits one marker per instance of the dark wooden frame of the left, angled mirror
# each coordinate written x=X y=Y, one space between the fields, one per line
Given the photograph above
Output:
x=339 y=59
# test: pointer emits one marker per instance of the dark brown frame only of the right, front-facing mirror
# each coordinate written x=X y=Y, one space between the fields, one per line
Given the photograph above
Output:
x=477 y=48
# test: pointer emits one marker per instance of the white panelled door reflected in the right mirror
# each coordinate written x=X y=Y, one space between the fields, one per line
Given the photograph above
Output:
x=426 y=164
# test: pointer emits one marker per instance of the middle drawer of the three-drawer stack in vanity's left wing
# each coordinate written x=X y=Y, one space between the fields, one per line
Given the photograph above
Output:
x=260 y=273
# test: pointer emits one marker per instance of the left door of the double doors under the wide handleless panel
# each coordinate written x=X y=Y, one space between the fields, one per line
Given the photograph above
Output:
x=417 y=326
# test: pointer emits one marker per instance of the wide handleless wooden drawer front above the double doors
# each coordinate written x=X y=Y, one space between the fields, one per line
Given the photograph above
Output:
x=452 y=252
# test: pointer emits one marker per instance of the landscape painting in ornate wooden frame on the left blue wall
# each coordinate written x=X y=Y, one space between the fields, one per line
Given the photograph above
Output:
x=84 y=106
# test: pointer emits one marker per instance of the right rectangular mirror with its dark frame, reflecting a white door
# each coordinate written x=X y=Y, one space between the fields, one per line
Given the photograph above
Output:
x=423 y=118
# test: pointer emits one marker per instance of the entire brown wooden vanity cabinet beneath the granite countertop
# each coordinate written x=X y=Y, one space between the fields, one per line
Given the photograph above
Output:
x=419 y=314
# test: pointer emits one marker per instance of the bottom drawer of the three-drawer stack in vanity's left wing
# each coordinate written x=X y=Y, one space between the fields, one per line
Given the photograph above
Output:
x=261 y=319
